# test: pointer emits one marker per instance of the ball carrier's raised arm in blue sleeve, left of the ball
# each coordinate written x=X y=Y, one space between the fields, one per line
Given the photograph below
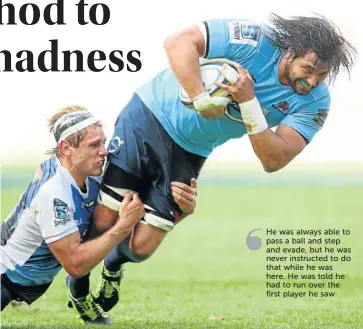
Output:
x=211 y=39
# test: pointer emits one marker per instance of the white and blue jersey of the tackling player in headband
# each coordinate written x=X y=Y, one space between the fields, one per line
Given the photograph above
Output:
x=52 y=208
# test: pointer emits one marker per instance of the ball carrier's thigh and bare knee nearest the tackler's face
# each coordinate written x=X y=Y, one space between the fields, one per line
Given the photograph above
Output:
x=125 y=169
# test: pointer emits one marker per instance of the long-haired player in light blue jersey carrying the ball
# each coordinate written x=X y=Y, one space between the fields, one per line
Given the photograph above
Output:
x=284 y=69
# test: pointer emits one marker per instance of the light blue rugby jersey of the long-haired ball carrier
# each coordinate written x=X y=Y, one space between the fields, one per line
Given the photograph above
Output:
x=240 y=41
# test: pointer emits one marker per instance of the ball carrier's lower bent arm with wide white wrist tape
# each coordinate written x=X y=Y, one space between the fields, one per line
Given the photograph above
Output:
x=274 y=149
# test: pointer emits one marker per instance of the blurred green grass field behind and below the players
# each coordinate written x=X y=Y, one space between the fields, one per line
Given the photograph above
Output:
x=204 y=272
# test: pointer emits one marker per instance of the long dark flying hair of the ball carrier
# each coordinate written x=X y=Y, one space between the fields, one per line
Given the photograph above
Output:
x=312 y=34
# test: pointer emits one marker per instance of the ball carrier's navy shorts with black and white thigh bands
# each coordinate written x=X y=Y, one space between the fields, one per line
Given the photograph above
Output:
x=144 y=158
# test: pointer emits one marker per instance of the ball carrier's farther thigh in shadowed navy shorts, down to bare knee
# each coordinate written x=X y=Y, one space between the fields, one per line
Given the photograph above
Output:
x=161 y=211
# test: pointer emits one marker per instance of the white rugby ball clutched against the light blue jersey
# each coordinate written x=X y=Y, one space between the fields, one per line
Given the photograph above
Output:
x=210 y=74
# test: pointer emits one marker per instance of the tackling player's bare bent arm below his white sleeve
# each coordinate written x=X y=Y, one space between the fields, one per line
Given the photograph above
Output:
x=79 y=258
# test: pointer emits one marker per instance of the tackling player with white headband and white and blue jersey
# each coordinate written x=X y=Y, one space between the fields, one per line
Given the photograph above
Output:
x=44 y=231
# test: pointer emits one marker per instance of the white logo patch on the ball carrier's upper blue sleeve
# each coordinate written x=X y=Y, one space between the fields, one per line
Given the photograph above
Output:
x=244 y=32
